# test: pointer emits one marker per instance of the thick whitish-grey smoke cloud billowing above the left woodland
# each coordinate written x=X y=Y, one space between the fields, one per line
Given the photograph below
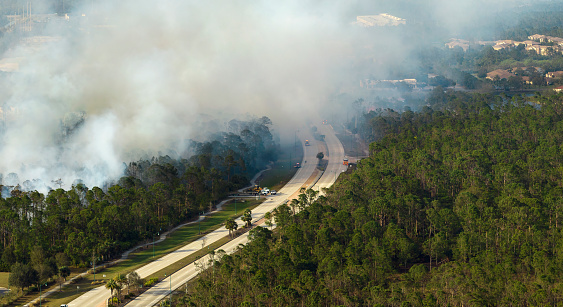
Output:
x=129 y=78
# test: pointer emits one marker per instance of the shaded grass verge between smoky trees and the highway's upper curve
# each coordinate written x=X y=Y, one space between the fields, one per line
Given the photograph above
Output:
x=282 y=170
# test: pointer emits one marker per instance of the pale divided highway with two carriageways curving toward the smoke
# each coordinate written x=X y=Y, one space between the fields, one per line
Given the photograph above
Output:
x=98 y=296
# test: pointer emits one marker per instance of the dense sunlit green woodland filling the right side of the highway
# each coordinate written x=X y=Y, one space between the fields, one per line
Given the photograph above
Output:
x=459 y=204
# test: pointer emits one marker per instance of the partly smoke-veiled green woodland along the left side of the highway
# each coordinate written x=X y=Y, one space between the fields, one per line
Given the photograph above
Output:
x=77 y=226
